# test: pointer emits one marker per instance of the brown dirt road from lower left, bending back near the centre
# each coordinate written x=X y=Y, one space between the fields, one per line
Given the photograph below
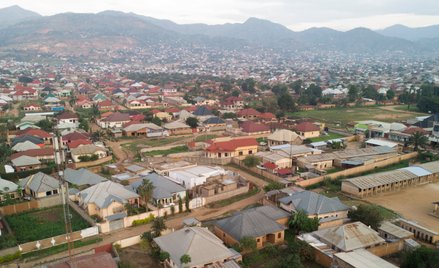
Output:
x=175 y=222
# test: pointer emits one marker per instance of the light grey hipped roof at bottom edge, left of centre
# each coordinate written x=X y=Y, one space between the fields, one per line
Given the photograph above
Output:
x=198 y=242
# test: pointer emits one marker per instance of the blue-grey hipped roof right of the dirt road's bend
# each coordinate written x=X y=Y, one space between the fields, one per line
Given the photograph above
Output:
x=314 y=203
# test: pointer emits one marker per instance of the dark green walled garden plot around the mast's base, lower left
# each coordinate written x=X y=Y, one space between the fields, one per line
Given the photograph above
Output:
x=42 y=223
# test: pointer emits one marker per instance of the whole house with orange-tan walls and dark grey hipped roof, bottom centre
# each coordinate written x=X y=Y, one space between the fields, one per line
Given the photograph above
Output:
x=266 y=224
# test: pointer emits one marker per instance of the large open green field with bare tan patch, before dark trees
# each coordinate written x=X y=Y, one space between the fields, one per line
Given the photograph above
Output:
x=345 y=115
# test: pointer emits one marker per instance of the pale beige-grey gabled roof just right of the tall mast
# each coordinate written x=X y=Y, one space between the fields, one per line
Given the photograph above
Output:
x=104 y=193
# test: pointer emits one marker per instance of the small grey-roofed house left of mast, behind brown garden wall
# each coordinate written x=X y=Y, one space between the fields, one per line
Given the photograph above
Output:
x=40 y=185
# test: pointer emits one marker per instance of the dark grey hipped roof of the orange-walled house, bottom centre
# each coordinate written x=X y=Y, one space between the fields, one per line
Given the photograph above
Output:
x=251 y=222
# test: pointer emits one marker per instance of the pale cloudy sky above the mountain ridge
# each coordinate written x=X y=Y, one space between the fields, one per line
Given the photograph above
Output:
x=295 y=14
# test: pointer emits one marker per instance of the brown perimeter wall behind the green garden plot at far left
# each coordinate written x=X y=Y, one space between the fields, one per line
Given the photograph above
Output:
x=45 y=202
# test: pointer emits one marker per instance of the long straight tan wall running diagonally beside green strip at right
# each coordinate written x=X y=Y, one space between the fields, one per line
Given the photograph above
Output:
x=358 y=170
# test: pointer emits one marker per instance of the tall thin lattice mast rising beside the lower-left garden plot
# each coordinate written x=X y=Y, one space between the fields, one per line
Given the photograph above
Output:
x=64 y=187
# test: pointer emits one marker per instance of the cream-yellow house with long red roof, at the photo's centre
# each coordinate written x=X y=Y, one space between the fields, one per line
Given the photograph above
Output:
x=232 y=148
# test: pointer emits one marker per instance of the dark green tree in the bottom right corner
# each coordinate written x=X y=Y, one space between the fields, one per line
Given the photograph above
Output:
x=422 y=257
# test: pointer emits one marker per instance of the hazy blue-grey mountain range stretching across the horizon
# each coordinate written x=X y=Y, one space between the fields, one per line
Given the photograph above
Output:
x=73 y=32
